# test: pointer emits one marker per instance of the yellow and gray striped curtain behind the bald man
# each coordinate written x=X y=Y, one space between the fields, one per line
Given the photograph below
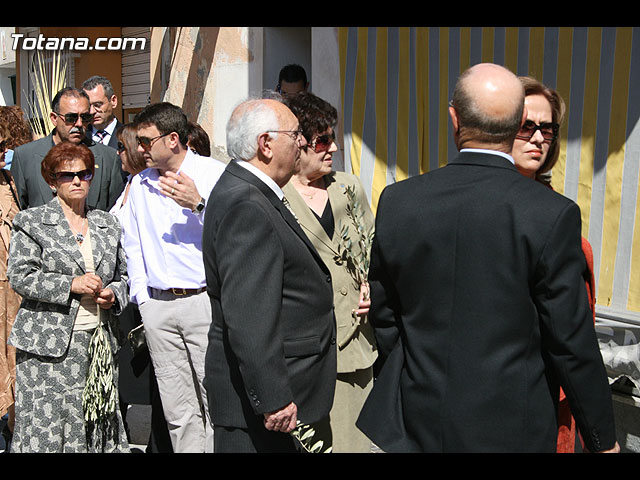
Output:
x=396 y=84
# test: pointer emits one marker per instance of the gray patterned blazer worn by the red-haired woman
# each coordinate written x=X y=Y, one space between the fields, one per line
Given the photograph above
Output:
x=44 y=258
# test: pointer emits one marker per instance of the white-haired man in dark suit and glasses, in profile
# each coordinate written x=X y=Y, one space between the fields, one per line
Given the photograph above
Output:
x=271 y=359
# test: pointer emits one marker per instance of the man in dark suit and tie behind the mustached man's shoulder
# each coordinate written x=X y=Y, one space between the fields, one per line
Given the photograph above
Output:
x=103 y=102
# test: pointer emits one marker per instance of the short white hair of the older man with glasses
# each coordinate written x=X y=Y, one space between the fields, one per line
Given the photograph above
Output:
x=248 y=121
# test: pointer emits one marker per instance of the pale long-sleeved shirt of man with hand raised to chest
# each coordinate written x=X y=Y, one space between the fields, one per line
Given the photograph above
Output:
x=162 y=240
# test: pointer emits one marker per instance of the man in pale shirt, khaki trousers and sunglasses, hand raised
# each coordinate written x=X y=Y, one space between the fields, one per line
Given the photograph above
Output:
x=163 y=241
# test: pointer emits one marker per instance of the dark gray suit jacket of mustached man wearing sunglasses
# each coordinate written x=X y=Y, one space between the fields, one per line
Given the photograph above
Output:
x=106 y=185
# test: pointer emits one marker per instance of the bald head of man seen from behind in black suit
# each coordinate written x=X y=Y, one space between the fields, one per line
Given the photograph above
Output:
x=487 y=110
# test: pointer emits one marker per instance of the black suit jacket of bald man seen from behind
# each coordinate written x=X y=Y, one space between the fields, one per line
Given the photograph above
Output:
x=480 y=312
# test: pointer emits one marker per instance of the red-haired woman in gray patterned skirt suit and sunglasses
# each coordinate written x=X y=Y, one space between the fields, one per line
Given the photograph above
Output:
x=69 y=267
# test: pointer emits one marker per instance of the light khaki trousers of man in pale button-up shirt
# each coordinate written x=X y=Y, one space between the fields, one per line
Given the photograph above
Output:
x=176 y=328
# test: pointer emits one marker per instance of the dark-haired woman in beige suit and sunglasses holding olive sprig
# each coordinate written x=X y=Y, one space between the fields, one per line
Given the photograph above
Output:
x=320 y=198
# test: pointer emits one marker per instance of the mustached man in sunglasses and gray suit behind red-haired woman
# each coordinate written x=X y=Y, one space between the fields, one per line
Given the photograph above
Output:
x=71 y=117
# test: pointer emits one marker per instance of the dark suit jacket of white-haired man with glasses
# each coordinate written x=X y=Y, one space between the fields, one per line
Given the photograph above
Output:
x=272 y=340
